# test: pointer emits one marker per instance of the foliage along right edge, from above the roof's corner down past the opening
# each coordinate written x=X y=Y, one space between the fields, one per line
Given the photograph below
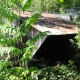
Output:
x=76 y=44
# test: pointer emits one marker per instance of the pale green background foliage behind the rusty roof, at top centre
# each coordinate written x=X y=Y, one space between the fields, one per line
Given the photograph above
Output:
x=45 y=6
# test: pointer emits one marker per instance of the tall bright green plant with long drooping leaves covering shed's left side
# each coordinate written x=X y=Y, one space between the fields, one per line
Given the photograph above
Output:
x=13 y=49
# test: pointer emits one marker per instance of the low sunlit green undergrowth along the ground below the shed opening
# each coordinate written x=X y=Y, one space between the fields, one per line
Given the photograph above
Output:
x=58 y=72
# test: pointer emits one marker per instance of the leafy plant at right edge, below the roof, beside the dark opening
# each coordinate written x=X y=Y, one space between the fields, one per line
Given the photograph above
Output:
x=76 y=44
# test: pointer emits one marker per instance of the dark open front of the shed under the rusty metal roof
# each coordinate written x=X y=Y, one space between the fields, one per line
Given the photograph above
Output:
x=55 y=49
